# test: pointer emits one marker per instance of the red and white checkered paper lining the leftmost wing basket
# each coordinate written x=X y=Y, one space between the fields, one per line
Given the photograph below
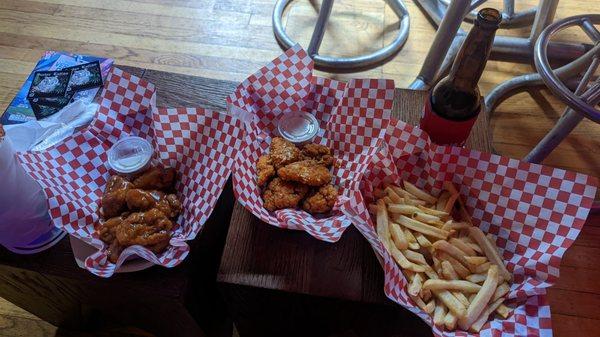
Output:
x=200 y=144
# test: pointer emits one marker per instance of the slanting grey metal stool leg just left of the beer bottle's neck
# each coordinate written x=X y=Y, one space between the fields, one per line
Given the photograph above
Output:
x=444 y=36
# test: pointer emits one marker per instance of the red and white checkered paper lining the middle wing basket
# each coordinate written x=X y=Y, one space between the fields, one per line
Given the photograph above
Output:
x=353 y=118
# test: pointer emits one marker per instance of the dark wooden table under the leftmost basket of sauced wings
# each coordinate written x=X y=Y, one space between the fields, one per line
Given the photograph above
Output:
x=181 y=301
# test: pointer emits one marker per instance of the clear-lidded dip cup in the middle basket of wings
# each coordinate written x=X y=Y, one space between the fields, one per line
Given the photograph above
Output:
x=298 y=127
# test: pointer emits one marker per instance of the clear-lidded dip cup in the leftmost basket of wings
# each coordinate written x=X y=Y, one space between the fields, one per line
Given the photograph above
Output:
x=130 y=154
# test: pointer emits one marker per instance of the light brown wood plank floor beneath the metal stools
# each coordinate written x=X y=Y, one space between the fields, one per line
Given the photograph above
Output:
x=230 y=39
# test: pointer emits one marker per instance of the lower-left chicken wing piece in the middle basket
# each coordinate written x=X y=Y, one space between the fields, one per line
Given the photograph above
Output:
x=283 y=194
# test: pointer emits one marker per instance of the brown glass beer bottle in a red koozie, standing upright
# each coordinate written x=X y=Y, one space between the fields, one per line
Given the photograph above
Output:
x=454 y=103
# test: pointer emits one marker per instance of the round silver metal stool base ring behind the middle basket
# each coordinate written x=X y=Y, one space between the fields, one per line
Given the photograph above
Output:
x=342 y=64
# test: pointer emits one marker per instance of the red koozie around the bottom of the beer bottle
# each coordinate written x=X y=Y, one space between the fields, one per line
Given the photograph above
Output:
x=444 y=131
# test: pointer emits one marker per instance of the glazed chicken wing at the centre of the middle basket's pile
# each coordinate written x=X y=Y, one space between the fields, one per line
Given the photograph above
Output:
x=308 y=172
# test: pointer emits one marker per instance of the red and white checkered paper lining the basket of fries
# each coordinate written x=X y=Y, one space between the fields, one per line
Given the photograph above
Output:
x=533 y=211
